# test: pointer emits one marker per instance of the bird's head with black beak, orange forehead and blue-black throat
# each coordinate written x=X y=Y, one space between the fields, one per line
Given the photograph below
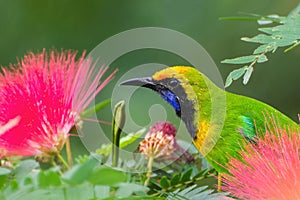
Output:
x=182 y=87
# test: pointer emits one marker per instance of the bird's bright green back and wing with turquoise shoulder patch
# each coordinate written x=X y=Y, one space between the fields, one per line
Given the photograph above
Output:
x=246 y=119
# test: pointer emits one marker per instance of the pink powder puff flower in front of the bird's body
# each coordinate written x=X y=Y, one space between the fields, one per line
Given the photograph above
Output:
x=270 y=168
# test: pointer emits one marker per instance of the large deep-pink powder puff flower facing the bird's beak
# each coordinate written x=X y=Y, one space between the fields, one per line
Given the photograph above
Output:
x=42 y=97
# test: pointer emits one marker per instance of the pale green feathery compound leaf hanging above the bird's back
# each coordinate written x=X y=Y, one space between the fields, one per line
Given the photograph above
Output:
x=287 y=33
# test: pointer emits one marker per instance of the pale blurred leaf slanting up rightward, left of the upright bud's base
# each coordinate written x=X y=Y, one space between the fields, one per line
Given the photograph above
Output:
x=81 y=172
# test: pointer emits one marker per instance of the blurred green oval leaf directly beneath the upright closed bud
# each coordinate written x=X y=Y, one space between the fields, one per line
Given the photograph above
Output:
x=107 y=176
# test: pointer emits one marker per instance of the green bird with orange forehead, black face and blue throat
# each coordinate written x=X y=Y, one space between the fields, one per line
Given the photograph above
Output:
x=219 y=122
